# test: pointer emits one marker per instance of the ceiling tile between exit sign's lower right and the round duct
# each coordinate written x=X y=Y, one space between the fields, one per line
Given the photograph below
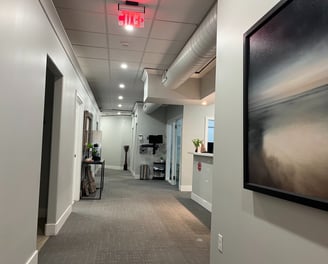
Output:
x=172 y=31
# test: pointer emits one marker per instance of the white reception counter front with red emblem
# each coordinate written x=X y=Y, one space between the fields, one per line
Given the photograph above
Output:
x=202 y=179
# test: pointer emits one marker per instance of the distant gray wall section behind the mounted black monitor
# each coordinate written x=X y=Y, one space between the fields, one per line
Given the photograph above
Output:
x=148 y=124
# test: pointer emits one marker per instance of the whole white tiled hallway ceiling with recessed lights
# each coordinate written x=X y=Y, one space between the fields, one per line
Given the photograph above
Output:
x=101 y=45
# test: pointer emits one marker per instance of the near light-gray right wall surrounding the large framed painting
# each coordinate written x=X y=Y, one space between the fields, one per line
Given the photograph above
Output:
x=256 y=228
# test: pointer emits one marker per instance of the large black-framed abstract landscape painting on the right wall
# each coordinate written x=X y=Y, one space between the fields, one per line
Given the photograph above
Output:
x=286 y=103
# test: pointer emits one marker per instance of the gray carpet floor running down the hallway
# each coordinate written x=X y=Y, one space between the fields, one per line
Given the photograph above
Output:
x=135 y=222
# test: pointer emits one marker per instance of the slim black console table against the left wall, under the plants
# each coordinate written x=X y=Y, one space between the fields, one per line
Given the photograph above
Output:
x=84 y=176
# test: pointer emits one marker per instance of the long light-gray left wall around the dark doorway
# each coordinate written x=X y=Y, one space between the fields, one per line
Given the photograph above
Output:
x=27 y=39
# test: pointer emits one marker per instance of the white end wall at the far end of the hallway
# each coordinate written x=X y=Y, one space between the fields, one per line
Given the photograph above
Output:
x=116 y=132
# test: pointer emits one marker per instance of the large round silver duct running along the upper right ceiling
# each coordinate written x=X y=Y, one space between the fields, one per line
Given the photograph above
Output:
x=199 y=50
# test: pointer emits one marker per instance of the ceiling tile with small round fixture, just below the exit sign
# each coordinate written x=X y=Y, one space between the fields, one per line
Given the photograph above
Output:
x=133 y=43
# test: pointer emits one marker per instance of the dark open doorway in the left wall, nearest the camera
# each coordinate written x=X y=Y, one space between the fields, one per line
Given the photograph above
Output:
x=52 y=76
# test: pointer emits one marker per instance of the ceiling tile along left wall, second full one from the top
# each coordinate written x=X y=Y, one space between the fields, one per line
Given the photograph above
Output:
x=87 y=38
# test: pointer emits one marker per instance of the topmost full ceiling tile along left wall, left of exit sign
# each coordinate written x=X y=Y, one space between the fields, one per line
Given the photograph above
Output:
x=78 y=20
